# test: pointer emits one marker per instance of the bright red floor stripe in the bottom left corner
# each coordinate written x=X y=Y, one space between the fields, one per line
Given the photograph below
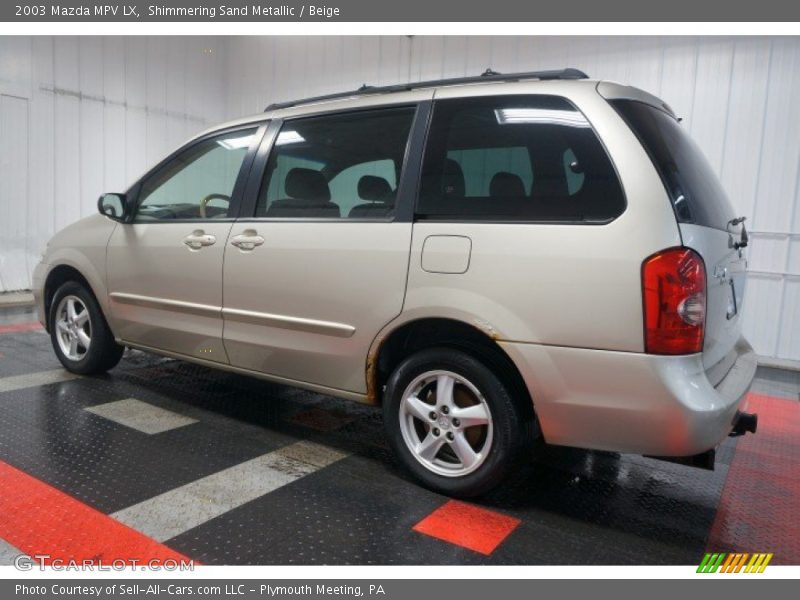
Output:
x=41 y=520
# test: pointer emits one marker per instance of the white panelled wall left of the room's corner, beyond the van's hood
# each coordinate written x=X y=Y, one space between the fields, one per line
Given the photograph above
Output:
x=83 y=115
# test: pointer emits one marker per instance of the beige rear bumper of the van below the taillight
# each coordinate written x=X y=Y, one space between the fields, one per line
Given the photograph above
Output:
x=631 y=402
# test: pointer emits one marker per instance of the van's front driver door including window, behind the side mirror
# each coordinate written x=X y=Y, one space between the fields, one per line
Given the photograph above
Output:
x=165 y=267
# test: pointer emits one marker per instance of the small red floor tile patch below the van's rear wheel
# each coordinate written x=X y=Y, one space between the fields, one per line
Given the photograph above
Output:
x=468 y=526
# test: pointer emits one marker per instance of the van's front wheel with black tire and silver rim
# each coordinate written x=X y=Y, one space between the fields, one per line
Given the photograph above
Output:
x=69 y=335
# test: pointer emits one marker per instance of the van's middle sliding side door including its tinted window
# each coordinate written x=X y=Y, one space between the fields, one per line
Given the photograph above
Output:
x=320 y=266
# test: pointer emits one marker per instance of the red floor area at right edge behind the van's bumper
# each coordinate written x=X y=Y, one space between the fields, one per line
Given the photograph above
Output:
x=761 y=498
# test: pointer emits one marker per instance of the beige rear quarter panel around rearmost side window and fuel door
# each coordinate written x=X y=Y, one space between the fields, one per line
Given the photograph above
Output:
x=564 y=285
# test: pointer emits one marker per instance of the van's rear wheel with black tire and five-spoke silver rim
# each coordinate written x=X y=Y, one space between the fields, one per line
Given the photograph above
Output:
x=412 y=427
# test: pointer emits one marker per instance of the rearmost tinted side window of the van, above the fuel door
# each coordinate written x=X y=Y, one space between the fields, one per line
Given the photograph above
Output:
x=516 y=158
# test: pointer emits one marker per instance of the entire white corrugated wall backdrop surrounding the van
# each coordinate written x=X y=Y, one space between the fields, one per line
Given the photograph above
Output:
x=740 y=98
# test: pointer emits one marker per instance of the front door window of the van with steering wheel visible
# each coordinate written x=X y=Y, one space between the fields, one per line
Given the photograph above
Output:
x=198 y=183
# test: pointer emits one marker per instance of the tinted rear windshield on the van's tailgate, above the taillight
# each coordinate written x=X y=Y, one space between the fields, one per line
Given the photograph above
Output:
x=696 y=193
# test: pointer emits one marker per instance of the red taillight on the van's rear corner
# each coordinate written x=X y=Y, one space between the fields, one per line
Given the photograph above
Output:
x=674 y=290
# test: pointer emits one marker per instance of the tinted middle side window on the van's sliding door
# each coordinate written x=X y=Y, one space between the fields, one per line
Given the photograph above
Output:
x=342 y=166
